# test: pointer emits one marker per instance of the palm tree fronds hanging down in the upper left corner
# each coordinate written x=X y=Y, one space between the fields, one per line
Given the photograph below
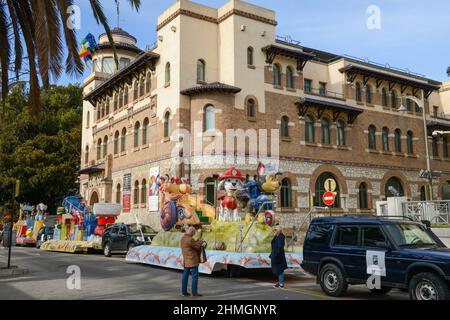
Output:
x=36 y=31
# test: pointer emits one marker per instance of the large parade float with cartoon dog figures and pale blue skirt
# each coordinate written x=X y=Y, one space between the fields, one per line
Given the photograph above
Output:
x=238 y=233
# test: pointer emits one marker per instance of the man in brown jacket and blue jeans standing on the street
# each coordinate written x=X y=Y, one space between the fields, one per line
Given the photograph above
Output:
x=191 y=250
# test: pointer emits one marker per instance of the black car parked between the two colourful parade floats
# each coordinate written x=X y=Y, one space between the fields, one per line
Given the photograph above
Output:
x=120 y=238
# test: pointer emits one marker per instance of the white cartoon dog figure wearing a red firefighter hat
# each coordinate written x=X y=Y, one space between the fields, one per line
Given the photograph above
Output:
x=230 y=182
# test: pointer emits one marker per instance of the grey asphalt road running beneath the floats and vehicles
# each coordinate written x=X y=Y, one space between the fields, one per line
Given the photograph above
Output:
x=113 y=278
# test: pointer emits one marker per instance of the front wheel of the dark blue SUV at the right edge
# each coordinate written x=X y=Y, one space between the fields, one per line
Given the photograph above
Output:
x=428 y=286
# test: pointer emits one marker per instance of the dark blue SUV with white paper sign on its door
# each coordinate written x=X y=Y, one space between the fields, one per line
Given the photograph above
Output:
x=402 y=253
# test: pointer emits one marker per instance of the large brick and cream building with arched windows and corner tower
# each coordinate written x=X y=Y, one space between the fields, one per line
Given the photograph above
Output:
x=220 y=89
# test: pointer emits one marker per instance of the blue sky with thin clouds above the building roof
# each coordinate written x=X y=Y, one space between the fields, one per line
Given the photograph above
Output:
x=414 y=33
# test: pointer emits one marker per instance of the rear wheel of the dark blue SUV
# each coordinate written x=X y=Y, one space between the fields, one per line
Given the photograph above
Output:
x=332 y=280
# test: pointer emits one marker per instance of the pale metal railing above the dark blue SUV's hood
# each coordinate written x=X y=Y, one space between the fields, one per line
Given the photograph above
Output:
x=434 y=211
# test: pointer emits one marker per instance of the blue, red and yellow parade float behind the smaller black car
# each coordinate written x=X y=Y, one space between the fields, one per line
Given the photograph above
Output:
x=80 y=229
